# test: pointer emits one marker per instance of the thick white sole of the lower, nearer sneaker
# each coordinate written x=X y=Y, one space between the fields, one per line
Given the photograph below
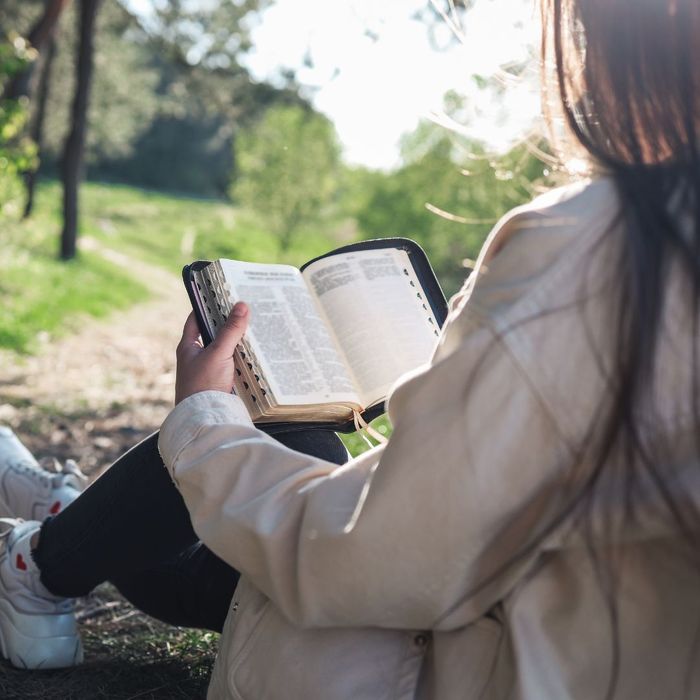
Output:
x=23 y=651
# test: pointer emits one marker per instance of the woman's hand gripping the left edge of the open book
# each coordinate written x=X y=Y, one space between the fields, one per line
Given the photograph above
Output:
x=210 y=368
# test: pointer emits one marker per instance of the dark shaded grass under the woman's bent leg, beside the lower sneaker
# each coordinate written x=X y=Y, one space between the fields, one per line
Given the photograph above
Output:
x=127 y=656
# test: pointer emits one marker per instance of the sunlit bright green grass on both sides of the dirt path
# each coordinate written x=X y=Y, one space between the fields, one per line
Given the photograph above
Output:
x=45 y=298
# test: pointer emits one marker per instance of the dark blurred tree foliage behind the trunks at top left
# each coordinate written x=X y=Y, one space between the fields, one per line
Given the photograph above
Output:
x=169 y=91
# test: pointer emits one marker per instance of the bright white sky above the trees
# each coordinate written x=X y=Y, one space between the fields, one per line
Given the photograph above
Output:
x=375 y=73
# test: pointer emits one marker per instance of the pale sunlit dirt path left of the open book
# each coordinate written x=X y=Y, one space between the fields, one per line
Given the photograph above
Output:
x=92 y=395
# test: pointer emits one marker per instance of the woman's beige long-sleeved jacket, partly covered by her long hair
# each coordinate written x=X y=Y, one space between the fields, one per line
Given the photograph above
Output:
x=393 y=577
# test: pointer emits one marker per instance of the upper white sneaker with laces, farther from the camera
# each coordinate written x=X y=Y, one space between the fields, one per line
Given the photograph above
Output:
x=29 y=491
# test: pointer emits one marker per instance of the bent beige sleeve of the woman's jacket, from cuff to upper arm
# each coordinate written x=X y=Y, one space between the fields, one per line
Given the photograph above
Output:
x=418 y=534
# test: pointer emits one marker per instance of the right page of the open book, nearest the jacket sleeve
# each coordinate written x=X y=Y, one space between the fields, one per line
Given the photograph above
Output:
x=376 y=308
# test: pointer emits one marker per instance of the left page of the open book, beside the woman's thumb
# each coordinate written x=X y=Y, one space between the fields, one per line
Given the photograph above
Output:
x=288 y=335
